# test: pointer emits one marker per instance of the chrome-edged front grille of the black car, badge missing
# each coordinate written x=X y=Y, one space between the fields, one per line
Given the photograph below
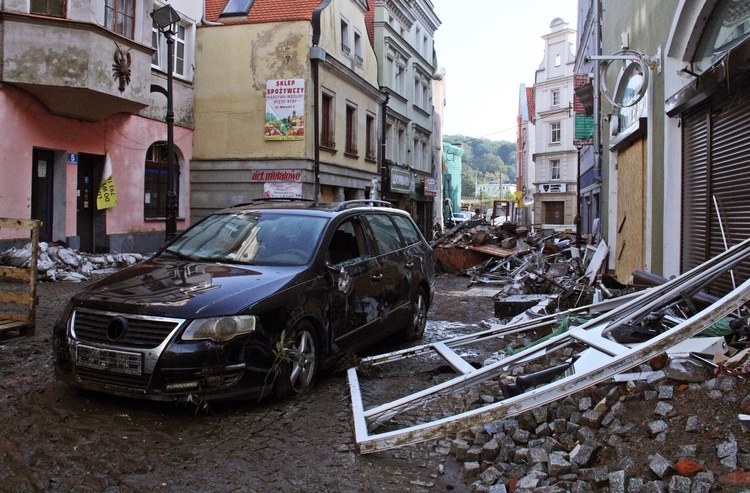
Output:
x=142 y=332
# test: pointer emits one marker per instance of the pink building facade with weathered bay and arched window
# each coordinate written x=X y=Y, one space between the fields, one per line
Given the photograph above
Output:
x=72 y=104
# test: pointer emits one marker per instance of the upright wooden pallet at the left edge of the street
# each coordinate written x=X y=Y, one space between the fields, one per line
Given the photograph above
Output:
x=23 y=321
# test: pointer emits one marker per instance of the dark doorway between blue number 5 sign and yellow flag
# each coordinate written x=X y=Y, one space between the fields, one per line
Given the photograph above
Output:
x=90 y=222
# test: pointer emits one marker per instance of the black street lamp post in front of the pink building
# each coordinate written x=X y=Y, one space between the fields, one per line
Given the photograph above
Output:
x=166 y=19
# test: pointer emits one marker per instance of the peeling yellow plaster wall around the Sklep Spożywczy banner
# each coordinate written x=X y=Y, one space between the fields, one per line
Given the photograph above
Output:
x=233 y=65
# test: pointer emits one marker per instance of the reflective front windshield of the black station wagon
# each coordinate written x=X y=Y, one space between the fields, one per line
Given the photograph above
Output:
x=257 y=238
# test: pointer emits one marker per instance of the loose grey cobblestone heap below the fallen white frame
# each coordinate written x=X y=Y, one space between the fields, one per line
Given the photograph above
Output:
x=642 y=436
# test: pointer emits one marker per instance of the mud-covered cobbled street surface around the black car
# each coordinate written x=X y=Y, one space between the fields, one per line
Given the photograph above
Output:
x=56 y=438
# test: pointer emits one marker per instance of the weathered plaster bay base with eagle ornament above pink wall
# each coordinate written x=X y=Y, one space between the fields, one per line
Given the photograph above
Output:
x=73 y=75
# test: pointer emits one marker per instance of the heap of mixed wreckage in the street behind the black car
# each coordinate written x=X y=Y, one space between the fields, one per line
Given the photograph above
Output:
x=527 y=268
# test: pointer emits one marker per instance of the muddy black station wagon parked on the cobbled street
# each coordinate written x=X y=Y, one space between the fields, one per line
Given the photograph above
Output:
x=250 y=301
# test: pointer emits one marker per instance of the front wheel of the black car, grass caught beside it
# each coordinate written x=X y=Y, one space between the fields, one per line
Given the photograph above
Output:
x=299 y=363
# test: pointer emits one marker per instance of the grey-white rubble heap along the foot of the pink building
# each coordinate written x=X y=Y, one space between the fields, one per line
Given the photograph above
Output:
x=60 y=263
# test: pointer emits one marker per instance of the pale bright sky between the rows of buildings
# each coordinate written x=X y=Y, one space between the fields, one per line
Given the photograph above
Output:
x=488 y=48
